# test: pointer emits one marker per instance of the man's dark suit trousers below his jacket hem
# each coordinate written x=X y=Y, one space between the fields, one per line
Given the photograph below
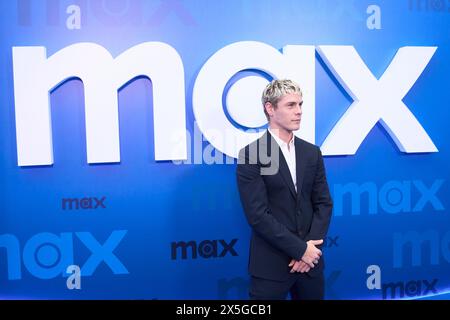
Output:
x=300 y=286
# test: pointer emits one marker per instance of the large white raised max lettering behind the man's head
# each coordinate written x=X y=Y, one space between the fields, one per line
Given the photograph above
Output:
x=375 y=100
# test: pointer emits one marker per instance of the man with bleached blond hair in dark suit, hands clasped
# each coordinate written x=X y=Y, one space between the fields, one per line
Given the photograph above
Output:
x=284 y=193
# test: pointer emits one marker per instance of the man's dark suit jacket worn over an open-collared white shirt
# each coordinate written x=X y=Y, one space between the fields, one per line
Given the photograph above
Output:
x=282 y=219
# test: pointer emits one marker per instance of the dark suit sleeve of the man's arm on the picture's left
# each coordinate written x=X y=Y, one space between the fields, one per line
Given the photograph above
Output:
x=253 y=194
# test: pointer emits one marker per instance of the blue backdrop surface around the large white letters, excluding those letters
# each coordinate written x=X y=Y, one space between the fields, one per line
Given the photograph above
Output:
x=138 y=212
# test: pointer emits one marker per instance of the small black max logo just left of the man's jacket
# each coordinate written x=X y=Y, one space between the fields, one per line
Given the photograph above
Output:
x=205 y=249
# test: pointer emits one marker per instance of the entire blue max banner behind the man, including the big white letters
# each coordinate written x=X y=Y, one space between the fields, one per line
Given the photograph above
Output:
x=120 y=123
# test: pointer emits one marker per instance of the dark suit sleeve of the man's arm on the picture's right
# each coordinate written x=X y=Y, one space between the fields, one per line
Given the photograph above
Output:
x=321 y=202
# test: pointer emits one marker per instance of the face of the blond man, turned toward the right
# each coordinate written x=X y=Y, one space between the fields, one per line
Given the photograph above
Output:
x=287 y=114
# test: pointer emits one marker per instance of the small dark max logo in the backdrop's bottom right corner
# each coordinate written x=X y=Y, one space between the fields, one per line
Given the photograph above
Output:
x=413 y=288
